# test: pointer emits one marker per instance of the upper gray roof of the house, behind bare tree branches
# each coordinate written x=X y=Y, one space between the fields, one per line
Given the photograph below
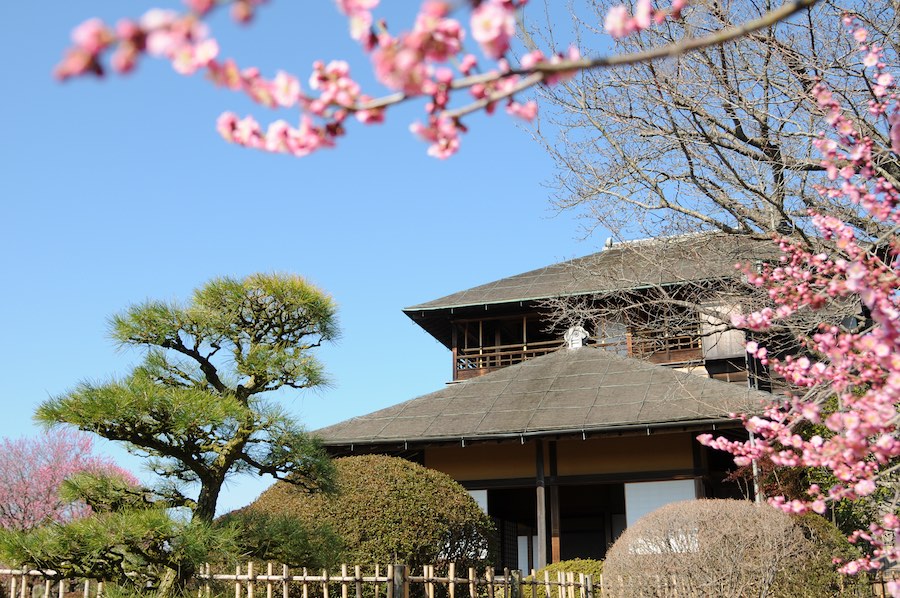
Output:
x=628 y=265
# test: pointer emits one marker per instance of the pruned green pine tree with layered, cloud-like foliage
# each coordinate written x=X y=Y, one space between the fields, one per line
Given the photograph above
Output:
x=199 y=407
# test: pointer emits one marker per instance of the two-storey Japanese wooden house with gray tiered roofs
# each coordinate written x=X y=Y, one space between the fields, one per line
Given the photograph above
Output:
x=565 y=444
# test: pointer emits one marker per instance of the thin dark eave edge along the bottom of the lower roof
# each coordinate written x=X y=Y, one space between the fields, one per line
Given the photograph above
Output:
x=584 y=433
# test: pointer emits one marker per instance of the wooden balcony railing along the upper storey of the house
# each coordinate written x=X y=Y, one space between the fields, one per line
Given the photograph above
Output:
x=473 y=362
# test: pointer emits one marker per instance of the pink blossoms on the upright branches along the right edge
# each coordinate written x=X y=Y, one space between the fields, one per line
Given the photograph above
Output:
x=858 y=363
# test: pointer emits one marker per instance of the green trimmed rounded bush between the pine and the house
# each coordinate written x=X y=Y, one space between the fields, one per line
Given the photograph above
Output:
x=389 y=510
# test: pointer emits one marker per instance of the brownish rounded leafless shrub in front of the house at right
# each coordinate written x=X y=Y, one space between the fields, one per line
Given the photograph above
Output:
x=710 y=548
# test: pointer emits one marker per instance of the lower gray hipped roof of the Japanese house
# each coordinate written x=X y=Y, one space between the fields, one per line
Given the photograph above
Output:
x=570 y=391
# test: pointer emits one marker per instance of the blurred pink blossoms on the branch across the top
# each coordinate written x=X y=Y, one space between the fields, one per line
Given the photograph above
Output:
x=430 y=61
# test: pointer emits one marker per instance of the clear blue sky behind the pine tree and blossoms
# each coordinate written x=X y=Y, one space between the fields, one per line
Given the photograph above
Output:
x=120 y=190
